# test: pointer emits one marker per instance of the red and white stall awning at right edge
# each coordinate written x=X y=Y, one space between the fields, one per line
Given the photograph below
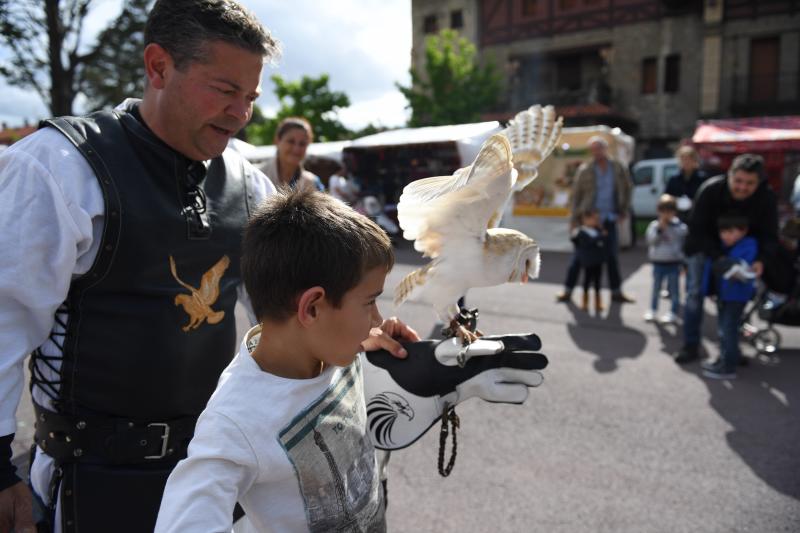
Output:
x=742 y=135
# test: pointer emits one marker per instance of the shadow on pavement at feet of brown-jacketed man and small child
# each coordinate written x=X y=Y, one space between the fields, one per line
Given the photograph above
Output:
x=609 y=339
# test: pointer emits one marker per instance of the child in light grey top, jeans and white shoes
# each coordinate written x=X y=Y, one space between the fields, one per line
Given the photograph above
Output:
x=665 y=237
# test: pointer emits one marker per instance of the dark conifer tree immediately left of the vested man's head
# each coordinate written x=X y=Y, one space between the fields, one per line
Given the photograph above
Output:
x=117 y=70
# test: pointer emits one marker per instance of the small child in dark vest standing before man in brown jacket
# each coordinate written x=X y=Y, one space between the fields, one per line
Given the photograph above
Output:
x=590 y=247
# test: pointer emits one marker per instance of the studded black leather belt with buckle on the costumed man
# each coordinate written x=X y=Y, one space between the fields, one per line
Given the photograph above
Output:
x=111 y=440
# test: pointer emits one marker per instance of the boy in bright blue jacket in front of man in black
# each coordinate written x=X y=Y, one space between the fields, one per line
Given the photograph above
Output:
x=732 y=279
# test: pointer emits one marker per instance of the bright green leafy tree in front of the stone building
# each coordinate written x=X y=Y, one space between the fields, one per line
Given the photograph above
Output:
x=454 y=89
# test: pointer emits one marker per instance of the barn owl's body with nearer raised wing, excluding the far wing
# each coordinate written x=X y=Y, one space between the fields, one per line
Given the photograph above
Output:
x=447 y=217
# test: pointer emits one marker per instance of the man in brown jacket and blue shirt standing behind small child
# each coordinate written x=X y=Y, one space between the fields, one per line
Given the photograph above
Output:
x=603 y=184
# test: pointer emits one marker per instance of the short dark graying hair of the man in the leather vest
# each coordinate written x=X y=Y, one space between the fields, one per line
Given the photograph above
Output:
x=185 y=27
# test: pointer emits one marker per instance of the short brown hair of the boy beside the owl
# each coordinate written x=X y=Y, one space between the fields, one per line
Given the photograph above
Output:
x=300 y=239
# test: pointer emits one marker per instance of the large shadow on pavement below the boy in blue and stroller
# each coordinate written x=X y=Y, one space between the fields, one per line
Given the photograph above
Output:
x=761 y=405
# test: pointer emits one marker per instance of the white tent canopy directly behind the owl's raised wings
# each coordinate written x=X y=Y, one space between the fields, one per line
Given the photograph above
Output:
x=468 y=137
